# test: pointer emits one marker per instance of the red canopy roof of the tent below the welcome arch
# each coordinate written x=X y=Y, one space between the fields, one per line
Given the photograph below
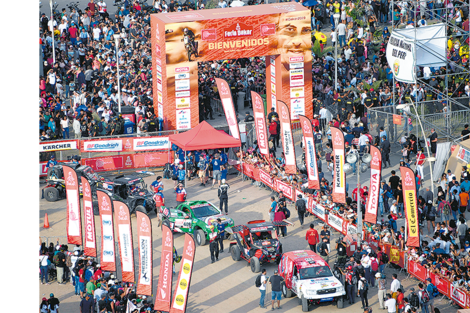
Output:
x=204 y=136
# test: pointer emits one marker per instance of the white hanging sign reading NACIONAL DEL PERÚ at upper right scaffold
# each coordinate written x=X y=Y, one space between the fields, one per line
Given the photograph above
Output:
x=401 y=57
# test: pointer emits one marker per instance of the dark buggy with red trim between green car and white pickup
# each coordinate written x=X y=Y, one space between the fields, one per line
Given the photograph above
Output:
x=257 y=243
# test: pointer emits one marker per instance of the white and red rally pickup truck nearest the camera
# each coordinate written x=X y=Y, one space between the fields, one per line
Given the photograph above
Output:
x=309 y=277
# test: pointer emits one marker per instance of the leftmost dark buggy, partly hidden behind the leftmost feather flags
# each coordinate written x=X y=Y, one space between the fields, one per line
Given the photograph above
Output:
x=55 y=188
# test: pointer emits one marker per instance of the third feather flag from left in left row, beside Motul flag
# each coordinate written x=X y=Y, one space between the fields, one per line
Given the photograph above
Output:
x=108 y=260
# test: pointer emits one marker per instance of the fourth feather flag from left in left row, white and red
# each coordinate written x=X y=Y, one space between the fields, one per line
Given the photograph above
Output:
x=124 y=233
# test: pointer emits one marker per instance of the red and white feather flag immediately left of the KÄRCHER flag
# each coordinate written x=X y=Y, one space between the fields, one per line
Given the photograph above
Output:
x=310 y=153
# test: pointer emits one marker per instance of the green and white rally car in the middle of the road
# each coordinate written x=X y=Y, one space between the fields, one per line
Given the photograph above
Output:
x=196 y=217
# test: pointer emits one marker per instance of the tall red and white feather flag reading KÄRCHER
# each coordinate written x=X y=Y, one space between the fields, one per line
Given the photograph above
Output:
x=339 y=180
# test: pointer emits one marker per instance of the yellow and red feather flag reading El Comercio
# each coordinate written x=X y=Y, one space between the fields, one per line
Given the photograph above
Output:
x=411 y=208
